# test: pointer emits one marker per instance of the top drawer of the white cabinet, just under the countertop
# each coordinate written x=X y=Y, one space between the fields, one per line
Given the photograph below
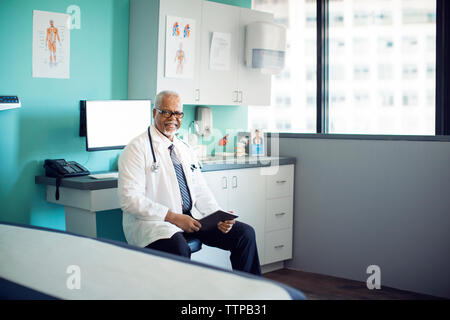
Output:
x=282 y=183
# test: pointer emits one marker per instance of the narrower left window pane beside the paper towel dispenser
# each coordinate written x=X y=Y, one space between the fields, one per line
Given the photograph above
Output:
x=293 y=106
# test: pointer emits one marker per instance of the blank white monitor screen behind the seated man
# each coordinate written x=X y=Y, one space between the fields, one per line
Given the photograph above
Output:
x=113 y=124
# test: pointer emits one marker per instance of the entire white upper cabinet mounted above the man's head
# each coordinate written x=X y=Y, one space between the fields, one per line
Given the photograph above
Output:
x=238 y=85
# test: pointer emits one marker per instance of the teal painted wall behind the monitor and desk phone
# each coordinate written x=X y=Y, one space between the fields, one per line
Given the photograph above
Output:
x=46 y=127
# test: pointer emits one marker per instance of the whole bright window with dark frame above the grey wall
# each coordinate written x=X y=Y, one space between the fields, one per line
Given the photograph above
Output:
x=379 y=73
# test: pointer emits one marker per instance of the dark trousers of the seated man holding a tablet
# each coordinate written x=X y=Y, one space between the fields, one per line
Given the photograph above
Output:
x=240 y=241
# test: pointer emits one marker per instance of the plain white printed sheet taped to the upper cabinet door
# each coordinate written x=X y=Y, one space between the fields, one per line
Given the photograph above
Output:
x=219 y=54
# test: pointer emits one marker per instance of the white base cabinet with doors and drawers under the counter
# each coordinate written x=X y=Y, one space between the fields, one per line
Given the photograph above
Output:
x=264 y=202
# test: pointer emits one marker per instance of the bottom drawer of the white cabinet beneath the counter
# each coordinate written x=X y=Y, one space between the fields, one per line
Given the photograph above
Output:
x=278 y=245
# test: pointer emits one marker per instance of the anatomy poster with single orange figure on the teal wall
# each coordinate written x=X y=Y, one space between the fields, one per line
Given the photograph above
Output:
x=51 y=45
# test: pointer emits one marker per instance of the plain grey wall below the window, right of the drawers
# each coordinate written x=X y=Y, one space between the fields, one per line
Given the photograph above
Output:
x=363 y=202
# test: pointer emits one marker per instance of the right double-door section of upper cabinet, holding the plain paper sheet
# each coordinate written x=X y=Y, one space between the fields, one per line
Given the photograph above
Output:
x=239 y=85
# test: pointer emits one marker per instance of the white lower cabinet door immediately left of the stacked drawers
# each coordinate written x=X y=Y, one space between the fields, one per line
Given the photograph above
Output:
x=247 y=197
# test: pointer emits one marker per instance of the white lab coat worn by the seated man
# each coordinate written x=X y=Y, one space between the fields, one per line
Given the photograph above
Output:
x=146 y=196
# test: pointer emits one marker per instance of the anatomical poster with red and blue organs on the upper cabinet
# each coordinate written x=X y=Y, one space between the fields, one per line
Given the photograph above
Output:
x=180 y=47
